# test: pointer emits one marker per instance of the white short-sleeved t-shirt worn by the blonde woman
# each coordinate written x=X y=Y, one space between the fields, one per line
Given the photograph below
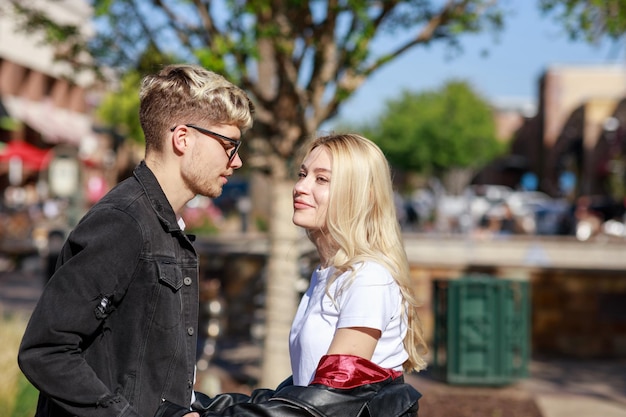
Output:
x=372 y=300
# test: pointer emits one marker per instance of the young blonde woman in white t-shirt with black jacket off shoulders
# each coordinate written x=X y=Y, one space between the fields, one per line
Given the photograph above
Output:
x=356 y=329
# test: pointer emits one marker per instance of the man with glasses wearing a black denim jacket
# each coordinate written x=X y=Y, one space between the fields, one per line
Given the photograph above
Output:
x=114 y=331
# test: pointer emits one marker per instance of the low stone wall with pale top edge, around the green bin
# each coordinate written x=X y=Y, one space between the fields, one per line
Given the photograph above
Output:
x=579 y=314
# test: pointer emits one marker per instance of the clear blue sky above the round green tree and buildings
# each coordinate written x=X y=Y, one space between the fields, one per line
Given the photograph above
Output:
x=528 y=45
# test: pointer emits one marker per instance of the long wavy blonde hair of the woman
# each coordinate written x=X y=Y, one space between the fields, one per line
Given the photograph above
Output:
x=363 y=226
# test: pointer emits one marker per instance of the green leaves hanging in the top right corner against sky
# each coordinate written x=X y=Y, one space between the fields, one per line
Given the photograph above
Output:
x=590 y=20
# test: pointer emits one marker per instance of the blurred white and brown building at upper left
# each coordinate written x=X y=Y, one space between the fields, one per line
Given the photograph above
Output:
x=35 y=90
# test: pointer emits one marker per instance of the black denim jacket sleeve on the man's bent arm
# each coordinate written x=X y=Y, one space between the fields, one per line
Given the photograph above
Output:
x=96 y=264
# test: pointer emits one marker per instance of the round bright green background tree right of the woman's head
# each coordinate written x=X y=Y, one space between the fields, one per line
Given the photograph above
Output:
x=434 y=131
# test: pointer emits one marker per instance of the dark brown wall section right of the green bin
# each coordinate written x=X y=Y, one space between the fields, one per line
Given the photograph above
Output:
x=579 y=313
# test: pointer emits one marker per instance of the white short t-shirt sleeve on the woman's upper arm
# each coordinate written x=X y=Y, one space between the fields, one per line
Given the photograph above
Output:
x=370 y=300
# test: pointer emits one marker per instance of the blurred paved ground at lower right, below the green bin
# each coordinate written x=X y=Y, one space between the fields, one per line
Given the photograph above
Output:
x=557 y=387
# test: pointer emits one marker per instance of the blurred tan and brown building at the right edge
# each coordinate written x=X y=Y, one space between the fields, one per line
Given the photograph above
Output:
x=574 y=143
